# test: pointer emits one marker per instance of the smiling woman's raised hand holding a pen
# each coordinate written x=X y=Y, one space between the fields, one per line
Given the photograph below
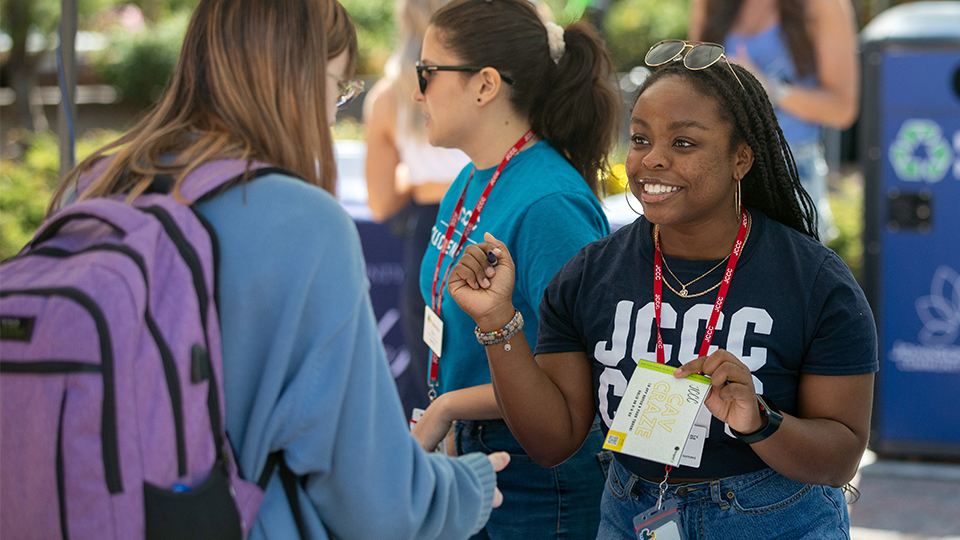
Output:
x=481 y=288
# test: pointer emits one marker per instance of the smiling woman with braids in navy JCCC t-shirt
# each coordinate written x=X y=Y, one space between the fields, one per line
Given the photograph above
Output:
x=714 y=174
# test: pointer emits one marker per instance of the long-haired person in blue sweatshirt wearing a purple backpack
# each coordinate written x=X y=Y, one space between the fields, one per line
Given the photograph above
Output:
x=308 y=407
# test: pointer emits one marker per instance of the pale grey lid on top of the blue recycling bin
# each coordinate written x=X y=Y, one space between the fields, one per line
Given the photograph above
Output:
x=915 y=21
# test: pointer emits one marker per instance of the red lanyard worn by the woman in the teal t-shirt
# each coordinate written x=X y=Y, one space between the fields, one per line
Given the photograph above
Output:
x=437 y=294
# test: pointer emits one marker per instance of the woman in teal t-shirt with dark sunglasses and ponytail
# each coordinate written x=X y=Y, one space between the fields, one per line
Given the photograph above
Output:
x=534 y=107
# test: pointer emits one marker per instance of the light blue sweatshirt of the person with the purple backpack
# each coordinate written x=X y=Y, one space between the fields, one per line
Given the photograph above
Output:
x=305 y=372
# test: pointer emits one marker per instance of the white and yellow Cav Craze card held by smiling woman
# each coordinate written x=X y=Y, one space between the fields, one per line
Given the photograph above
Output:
x=657 y=413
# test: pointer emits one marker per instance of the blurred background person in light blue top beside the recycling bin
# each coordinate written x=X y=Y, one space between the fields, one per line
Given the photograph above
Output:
x=805 y=55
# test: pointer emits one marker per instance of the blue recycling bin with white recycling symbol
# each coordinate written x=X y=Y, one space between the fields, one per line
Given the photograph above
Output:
x=910 y=152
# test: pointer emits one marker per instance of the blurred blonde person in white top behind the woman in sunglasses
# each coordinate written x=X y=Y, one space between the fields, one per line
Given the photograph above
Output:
x=406 y=179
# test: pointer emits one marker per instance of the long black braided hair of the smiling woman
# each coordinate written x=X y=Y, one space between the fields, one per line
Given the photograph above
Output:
x=772 y=184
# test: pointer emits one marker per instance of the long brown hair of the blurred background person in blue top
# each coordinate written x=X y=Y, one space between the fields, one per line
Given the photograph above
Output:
x=721 y=14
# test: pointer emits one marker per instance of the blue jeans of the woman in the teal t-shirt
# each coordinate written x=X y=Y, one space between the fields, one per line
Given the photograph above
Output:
x=562 y=502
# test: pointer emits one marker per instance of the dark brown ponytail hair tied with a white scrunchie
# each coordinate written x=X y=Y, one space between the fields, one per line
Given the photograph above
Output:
x=573 y=103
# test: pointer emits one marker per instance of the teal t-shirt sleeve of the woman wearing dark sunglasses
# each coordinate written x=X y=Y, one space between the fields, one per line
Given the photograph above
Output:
x=551 y=232
